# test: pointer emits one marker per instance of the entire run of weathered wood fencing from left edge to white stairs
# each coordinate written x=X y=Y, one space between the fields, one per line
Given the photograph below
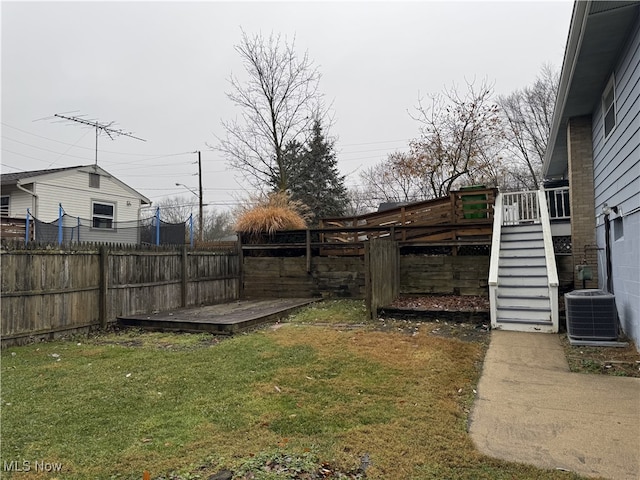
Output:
x=48 y=292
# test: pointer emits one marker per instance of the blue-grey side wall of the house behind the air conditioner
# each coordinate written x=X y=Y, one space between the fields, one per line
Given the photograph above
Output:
x=617 y=183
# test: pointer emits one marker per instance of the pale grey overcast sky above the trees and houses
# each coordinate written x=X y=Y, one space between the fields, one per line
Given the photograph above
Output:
x=160 y=70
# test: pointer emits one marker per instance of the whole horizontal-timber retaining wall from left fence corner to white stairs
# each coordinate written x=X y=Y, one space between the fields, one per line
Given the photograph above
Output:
x=281 y=277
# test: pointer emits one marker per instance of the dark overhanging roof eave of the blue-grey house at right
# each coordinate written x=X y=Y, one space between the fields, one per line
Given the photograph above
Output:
x=597 y=34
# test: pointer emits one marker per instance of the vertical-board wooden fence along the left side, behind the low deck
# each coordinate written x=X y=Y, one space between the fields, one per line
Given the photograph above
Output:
x=50 y=291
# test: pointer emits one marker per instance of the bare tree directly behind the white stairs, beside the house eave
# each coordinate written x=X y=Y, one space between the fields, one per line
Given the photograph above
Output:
x=527 y=115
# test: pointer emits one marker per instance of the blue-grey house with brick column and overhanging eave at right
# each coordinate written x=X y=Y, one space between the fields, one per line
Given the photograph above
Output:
x=595 y=144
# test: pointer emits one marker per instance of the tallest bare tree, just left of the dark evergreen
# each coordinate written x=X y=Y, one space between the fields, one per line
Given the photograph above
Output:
x=279 y=100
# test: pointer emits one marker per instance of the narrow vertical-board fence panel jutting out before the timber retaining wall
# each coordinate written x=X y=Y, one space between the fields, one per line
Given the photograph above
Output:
x=382 y=274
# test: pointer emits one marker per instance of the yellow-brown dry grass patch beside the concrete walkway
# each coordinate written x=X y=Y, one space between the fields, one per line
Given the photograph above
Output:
x=424 y=401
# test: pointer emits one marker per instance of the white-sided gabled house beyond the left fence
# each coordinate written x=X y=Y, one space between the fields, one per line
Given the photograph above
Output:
x=97 y=206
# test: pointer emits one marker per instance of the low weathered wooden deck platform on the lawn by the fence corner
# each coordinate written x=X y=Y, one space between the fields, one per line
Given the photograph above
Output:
x=226 y=318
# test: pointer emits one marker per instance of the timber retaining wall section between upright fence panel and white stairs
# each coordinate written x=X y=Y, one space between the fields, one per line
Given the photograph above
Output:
x=442 y=275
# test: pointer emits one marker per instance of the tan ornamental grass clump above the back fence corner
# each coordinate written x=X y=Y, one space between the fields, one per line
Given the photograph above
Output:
x=272 y=213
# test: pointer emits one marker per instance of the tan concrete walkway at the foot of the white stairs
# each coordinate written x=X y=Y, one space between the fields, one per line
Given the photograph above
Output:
x=531 y=409
